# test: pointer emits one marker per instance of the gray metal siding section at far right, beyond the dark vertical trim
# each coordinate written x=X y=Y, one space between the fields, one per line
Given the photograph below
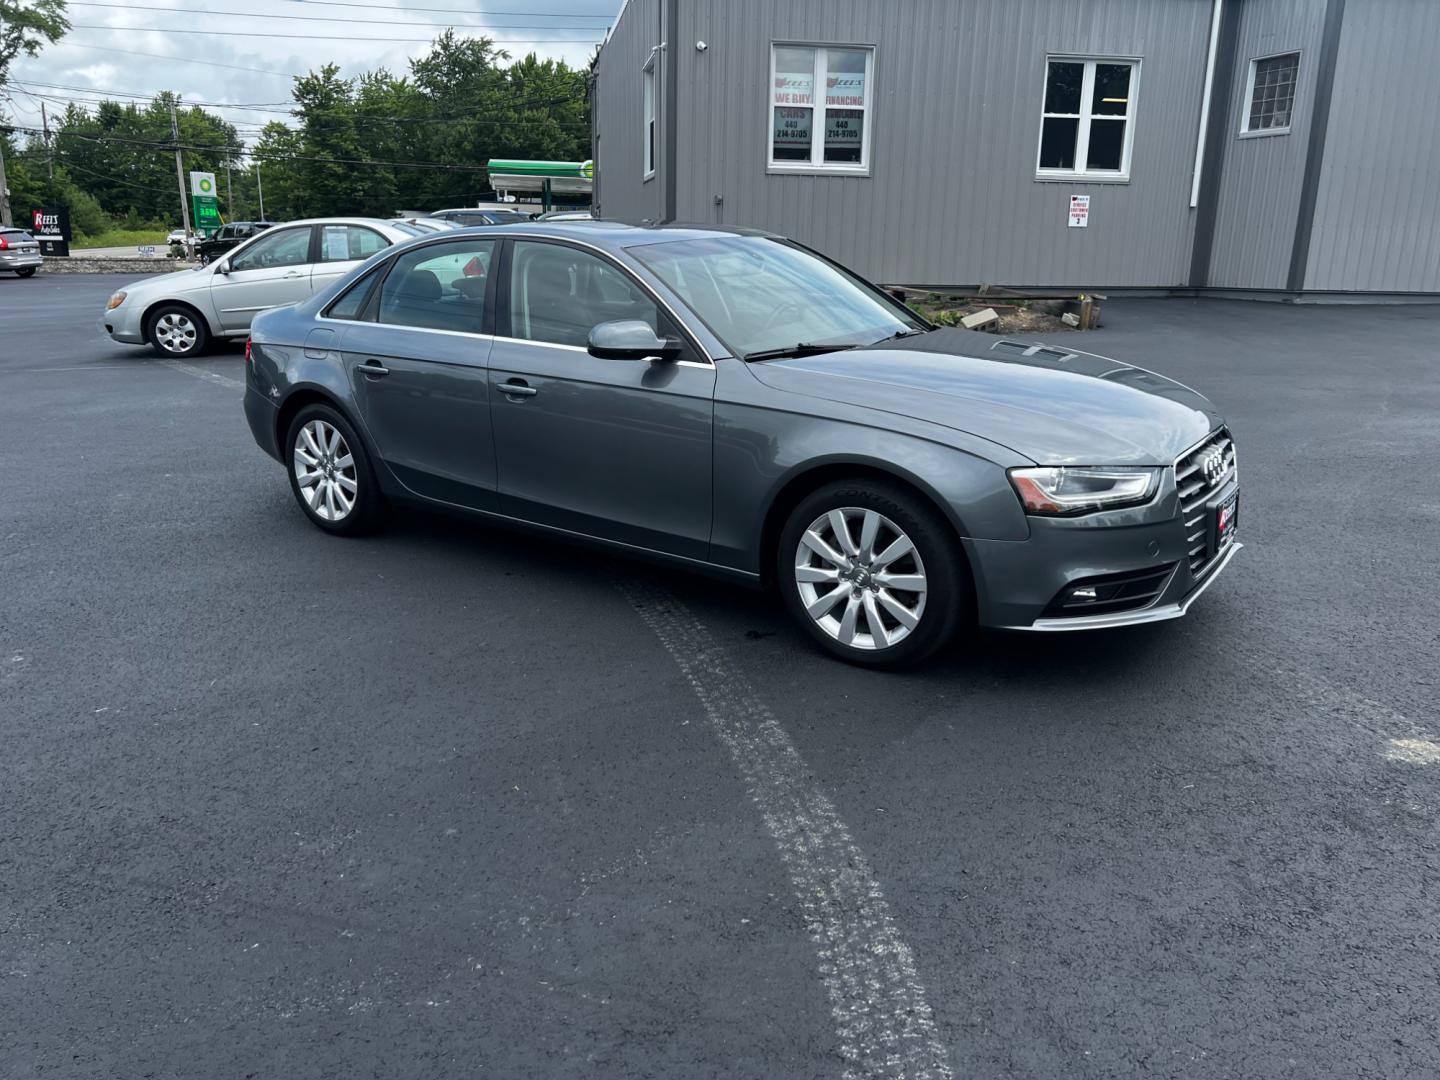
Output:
x=1377 y=225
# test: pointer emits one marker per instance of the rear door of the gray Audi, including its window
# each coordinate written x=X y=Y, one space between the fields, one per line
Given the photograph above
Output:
x=417 y=356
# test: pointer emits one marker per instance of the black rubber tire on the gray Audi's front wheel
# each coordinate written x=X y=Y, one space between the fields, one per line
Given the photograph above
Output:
x=935 y=561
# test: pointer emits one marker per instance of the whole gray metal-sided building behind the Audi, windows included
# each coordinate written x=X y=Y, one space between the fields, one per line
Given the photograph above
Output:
x=1275 y=148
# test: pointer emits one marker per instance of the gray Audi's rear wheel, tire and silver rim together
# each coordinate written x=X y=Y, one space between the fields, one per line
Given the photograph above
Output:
x=330 y=473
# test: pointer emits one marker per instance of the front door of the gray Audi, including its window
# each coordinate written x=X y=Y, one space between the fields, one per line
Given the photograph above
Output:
x=613 y=449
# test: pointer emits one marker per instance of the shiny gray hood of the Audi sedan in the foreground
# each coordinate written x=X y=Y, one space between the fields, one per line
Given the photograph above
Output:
x=1053 y=405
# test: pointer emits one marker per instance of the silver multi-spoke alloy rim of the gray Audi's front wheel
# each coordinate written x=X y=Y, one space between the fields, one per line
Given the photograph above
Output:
x=860 y=578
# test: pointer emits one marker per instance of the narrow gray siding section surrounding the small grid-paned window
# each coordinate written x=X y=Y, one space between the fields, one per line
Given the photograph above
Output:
x=1262 y=176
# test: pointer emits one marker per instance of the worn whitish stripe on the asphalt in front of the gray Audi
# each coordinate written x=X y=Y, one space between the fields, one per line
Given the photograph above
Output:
x=881 y=1010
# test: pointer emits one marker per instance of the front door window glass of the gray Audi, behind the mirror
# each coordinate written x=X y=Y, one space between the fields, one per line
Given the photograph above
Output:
x=558 y=294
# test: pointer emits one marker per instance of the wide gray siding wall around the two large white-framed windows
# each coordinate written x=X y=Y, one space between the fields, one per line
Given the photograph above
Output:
x=955 y=114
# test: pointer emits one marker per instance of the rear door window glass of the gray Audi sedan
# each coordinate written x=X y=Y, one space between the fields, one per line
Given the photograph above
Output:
x=440 y=287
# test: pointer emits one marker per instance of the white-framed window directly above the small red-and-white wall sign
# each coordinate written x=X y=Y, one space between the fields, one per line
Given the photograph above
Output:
x=1088 y=119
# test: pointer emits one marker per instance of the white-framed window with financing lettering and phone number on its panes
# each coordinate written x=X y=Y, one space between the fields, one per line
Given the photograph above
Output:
x=813 y=132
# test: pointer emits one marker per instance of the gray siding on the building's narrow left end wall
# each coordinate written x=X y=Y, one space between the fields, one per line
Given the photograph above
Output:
x=620 y=146
